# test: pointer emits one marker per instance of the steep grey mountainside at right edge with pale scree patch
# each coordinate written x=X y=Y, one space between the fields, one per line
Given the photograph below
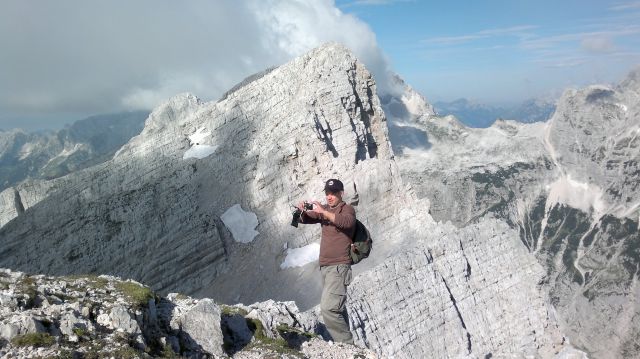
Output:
x=589 y=233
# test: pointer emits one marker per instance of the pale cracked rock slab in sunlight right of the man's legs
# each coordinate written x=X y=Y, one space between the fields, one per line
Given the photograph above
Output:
x=451 y=299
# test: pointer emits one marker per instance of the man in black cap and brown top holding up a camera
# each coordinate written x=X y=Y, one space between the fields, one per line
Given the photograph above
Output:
x=338 y=221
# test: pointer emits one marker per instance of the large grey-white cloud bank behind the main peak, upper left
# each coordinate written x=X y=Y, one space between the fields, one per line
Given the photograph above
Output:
x=73 y=56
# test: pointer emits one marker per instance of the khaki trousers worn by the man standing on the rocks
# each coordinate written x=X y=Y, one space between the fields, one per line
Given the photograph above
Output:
x=335 y=279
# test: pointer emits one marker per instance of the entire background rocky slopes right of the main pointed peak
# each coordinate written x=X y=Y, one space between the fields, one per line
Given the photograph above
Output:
x=569 y=187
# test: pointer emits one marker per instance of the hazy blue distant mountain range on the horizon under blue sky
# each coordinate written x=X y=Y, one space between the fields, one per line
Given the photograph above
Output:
x=480 y=115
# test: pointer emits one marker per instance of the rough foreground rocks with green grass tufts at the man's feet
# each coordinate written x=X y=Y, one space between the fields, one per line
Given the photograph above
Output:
x=102 y=316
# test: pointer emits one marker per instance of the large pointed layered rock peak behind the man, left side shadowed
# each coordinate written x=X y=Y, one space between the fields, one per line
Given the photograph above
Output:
x=154 y=215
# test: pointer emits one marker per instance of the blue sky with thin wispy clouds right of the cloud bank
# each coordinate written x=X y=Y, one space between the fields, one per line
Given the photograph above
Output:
x=502 y=52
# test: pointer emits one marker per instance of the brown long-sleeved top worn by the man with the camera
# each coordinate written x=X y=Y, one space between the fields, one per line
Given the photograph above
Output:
x=336 y=237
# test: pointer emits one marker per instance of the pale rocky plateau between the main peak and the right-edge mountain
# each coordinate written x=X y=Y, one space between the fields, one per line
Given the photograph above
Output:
x=468 y=174
